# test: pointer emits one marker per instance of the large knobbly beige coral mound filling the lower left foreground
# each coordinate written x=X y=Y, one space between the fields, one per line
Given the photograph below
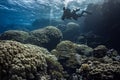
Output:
x=18 y=59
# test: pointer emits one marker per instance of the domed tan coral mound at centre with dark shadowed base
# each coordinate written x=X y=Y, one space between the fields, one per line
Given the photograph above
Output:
x=65 y=52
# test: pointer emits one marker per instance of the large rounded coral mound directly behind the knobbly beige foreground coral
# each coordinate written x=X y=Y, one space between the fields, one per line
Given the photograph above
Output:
x=47 y=37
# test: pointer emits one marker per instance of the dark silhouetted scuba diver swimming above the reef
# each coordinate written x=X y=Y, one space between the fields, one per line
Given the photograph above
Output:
x=68 y=14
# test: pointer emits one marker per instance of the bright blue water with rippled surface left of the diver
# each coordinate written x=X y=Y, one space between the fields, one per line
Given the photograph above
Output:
x=25 y=12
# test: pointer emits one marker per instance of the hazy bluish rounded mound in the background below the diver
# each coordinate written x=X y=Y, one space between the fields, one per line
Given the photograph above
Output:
x=72 y=31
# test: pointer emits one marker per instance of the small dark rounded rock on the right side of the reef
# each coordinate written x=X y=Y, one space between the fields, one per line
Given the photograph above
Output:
x=100 y=51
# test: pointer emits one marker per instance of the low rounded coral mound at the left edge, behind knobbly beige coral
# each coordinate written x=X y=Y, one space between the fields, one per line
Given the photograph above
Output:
x=16 y=35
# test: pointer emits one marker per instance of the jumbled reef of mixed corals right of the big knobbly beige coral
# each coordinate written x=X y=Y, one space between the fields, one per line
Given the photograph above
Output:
x=95 y=64
